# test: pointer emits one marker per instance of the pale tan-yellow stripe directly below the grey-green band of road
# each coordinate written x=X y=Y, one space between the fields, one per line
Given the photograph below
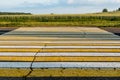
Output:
x=20 y=38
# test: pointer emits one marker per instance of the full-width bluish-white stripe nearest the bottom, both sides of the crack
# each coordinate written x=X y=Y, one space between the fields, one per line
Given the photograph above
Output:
x=60 y=65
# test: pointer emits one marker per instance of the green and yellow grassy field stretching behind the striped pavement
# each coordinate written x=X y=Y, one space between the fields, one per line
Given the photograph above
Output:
x=110 y=19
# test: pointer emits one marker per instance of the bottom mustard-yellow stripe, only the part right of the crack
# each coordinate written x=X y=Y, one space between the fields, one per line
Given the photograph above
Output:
x=75 y=73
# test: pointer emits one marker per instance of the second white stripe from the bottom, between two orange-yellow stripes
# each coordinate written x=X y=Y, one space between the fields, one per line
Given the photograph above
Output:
x=57 y=54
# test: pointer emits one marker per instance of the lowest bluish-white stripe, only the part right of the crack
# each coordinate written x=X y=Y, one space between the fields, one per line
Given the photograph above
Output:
x=76 y=65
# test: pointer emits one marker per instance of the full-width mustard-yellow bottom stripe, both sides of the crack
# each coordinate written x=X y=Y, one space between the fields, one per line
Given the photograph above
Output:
x=59 y=72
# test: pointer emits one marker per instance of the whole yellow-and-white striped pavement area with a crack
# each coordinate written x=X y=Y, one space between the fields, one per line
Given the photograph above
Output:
x=28 y=52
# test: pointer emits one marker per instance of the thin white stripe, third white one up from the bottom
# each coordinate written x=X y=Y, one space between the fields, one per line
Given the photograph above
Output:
x=60 y=47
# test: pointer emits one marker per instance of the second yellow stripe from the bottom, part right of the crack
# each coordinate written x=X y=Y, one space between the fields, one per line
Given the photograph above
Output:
x=72 y=59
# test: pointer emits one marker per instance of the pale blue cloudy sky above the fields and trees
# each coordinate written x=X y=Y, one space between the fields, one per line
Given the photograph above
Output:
x=58 y=6
